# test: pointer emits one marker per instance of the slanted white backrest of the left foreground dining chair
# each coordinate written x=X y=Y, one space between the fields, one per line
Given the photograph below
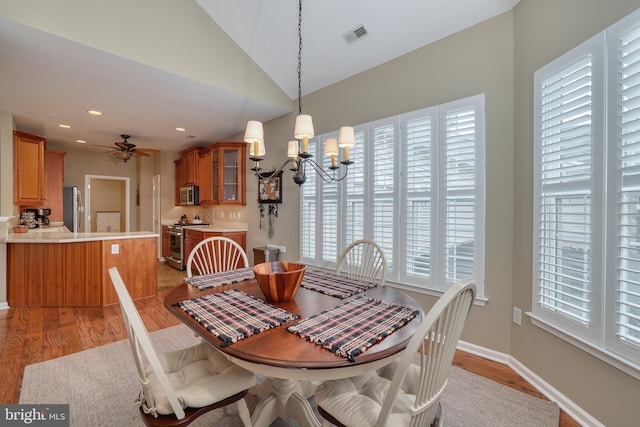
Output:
x=142 y=347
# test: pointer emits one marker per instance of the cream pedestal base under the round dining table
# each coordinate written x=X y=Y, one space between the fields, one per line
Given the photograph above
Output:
x=285 y=399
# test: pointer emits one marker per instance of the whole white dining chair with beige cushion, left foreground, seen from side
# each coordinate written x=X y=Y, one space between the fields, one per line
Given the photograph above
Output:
x=181 y=385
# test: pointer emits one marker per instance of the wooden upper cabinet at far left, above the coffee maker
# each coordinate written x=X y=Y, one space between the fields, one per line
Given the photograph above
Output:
x=28 y=169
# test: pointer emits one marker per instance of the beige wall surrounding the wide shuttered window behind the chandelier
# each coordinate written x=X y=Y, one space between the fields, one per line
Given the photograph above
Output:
x=478 y=60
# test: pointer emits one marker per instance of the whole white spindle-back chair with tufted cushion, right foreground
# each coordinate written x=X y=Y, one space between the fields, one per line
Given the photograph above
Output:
x=403 y=393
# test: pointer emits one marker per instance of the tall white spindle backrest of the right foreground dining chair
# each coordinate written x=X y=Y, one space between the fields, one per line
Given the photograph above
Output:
x=435 y=341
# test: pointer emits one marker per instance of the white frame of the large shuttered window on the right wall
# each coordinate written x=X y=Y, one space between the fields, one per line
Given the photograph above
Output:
x=597 y=335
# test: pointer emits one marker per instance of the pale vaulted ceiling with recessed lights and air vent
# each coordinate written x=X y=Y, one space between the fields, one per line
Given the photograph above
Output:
x=206 y=65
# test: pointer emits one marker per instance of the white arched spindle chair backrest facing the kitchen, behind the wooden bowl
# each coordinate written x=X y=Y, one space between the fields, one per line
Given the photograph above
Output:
x=215 y=254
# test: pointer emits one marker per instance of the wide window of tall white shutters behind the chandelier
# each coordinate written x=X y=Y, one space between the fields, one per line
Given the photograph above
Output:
x=416 y=188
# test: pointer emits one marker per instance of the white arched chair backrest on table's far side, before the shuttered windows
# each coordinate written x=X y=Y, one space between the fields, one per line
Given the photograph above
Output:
x=363 y=260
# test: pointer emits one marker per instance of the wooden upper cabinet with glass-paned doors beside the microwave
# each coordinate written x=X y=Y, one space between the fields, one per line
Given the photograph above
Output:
x=223 y=167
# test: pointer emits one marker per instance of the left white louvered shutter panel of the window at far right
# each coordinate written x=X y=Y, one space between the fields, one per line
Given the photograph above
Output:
x=564 y=205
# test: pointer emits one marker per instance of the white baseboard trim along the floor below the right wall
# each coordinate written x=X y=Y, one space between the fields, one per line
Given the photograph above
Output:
x=567 y=405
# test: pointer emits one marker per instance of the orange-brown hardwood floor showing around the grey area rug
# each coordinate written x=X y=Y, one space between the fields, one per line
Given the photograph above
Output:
x=32 y=335
